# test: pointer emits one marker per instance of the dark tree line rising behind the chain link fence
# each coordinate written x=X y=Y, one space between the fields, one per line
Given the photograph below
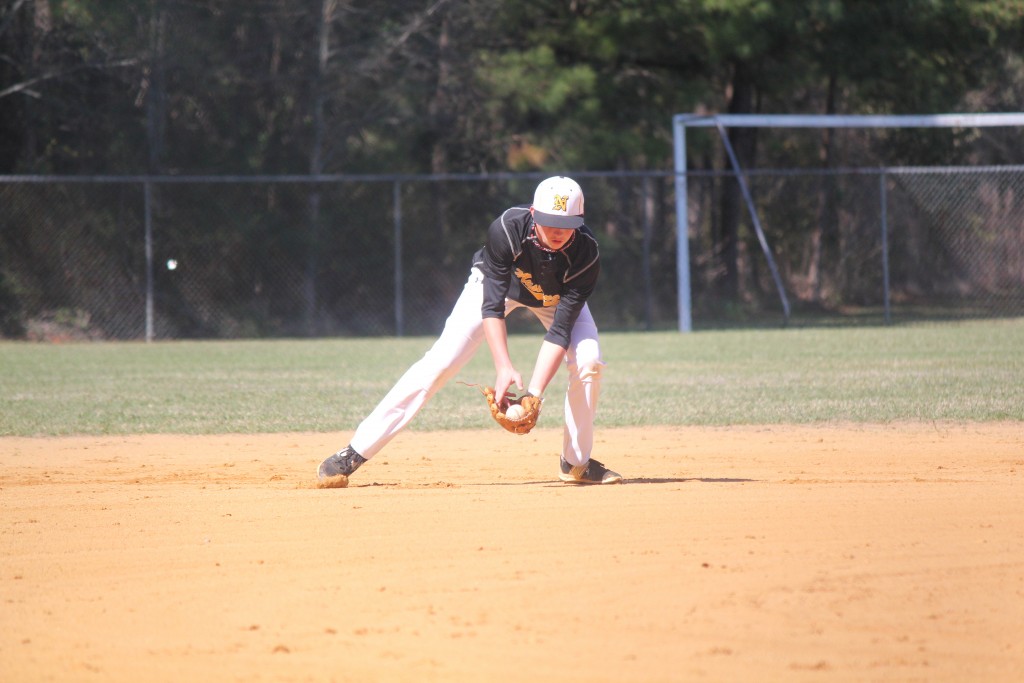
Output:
x=448 y=87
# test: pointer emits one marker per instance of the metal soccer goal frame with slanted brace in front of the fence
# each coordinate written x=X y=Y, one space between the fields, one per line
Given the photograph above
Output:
x=682 y=122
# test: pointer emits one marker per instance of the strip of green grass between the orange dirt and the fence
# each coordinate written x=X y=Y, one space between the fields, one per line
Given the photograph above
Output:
x=952 y=372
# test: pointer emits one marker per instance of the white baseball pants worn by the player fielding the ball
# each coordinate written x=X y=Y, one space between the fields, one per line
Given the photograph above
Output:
x=459 y=341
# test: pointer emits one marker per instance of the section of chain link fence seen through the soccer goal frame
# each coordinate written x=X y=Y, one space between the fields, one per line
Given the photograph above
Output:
x=873 y=245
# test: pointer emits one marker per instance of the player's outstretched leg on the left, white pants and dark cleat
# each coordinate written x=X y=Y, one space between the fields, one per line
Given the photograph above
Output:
x=460 y=339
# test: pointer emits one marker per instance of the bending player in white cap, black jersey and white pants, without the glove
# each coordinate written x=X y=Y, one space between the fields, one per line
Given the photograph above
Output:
x=542 y=259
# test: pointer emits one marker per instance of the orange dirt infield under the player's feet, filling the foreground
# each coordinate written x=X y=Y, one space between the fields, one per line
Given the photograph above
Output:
x=860 y=553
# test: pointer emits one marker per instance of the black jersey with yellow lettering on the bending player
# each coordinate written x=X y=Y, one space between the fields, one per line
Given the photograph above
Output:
x=516 y=267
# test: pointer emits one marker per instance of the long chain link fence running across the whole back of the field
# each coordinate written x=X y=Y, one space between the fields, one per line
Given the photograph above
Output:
x=240 y=258
